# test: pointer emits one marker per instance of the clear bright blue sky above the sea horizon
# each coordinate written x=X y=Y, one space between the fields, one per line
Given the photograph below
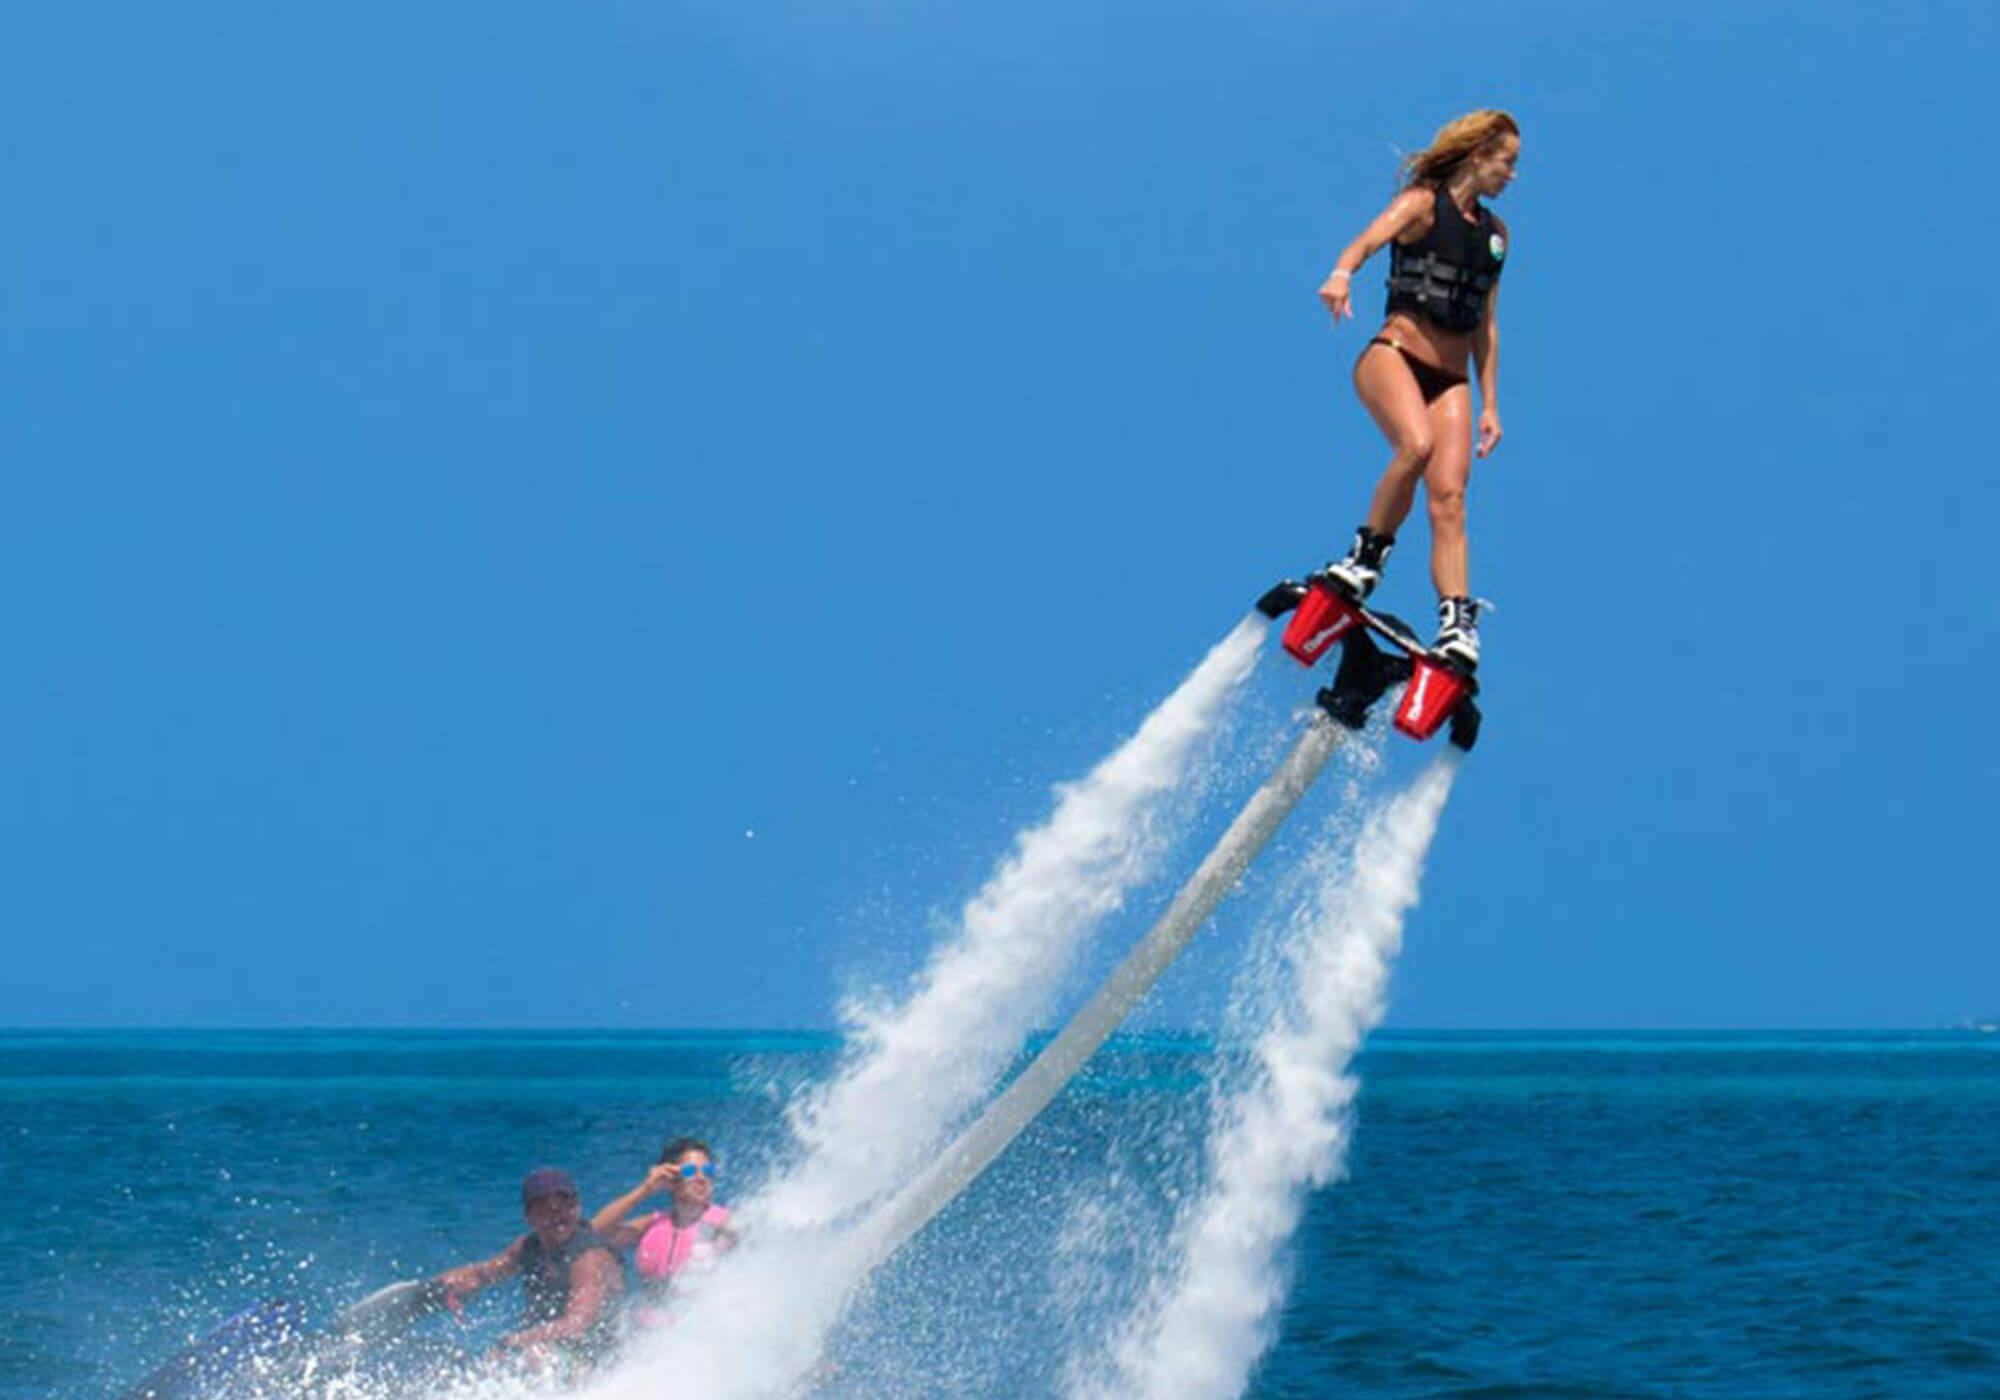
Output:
x=469 y=465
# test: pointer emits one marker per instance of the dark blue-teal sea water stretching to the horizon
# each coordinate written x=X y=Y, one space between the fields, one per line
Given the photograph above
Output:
x=1667 y=1215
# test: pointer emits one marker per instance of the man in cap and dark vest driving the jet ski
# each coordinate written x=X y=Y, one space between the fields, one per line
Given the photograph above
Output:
x=571 y=1279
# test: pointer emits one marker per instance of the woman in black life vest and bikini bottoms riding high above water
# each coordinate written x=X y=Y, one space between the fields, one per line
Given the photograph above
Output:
x=1447 y=253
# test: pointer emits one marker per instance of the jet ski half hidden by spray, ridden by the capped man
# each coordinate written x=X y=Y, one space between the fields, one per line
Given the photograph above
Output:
x=275 y=1343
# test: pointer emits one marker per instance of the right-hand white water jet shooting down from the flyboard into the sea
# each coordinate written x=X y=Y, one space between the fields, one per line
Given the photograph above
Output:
x=1201 y=1333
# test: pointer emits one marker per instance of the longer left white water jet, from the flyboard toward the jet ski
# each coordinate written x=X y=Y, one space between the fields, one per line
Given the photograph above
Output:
x=759 y=1325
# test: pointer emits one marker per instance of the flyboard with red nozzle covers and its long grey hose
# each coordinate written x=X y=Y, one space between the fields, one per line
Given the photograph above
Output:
x=1439 y=693
